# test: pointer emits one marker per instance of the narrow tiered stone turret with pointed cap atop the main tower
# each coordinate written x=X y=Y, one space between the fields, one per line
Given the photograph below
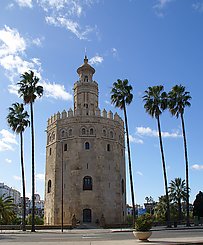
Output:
x=85 y=91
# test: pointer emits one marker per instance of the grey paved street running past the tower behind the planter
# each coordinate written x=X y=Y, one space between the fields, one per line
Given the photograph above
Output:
x=98 y=237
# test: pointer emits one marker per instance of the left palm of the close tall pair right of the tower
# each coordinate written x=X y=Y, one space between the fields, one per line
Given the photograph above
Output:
x=155 y=103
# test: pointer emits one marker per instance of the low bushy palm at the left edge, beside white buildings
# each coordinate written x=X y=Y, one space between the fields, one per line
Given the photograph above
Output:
x=6 y=209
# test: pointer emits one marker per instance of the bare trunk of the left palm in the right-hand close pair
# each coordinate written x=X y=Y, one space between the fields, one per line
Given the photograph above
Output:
x=164 y=170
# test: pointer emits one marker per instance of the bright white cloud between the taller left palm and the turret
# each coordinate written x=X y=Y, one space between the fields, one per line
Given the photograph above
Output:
x=56 y=91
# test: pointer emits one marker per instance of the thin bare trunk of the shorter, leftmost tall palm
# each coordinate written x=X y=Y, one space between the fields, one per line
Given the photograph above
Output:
x=23 y=181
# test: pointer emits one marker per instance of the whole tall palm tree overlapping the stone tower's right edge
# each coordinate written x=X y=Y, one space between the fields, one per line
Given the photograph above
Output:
x=121 y=96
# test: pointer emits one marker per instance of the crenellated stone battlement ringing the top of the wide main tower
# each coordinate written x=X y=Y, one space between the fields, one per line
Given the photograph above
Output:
x=98 y=113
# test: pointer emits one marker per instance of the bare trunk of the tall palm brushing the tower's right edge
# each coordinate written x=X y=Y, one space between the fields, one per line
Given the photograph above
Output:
x=129 y=164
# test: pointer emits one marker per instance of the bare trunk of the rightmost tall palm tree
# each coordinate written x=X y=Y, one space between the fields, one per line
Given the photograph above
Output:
x=186 y=172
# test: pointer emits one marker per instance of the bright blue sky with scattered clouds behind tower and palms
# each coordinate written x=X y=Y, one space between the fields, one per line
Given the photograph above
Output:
x=149 y=42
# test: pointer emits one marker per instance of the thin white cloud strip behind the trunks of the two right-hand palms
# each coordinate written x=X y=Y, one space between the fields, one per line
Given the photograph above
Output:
x=142 y=131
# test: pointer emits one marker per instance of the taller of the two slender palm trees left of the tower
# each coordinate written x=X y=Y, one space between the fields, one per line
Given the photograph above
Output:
x=30 y=90
